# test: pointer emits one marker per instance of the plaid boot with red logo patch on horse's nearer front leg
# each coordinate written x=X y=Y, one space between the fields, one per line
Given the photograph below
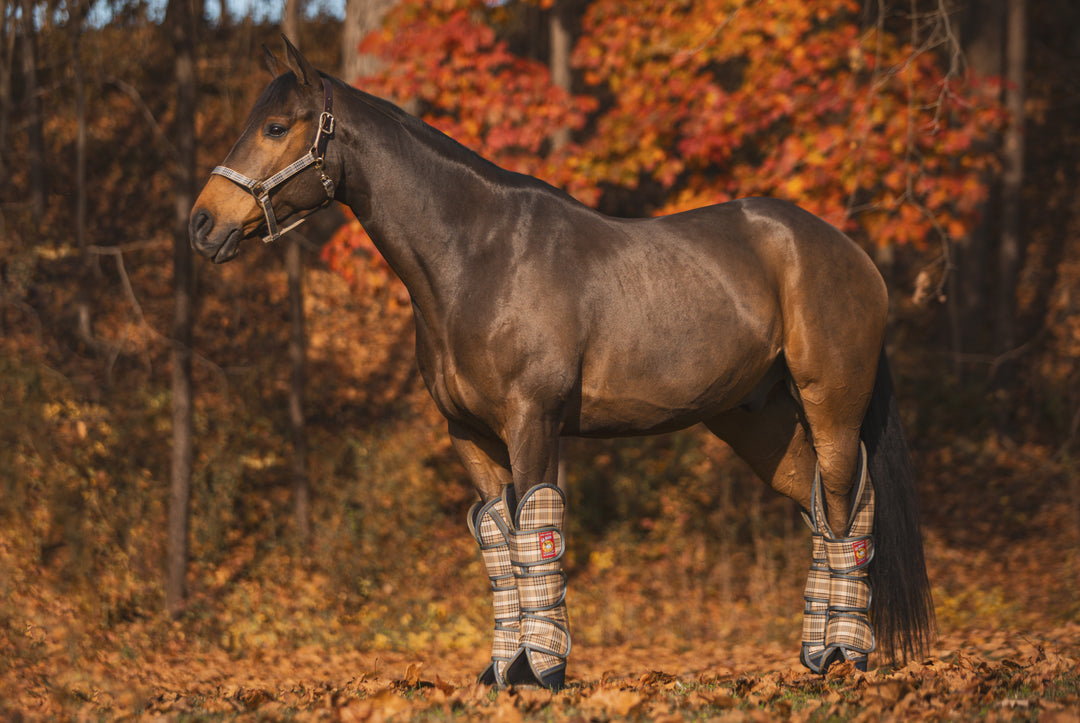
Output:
x=536 y=548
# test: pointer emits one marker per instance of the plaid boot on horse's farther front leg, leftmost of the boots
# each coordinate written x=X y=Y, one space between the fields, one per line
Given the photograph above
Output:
x=490 y=525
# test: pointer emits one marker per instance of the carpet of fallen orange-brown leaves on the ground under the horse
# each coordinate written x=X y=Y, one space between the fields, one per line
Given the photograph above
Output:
x=299 y=687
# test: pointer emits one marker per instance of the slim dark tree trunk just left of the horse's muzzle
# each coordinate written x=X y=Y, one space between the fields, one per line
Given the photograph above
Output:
x=181 y=23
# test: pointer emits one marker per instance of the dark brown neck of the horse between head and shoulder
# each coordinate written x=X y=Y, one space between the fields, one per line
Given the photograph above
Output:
x=416 y=193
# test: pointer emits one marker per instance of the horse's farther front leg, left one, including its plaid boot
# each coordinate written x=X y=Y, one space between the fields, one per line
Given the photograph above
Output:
x=489 y=465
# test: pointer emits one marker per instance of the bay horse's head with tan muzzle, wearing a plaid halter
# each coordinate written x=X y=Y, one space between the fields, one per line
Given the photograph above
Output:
x=276 y=176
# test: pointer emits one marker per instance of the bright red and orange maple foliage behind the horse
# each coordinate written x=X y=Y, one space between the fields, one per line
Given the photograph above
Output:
x=706 y=101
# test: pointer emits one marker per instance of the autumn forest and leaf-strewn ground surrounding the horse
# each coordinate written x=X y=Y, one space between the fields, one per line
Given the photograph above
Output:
x=225 y=491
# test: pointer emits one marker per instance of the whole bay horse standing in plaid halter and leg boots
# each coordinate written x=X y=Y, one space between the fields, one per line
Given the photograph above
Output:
x=538 y=317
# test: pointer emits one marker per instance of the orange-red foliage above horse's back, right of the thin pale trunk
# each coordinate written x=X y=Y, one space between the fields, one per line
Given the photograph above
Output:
x=791 y=120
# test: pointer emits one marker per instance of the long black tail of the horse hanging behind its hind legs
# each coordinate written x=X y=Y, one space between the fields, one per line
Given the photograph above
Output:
x=902 y=610
